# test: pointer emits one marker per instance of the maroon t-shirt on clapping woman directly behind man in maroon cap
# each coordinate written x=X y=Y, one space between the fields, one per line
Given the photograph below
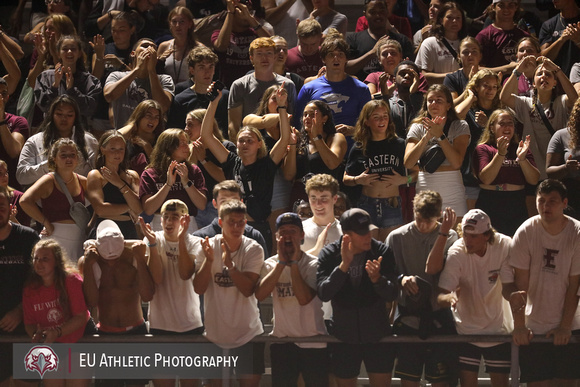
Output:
x=150 y=183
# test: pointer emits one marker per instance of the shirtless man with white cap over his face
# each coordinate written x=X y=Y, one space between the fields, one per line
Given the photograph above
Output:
x=116 y=280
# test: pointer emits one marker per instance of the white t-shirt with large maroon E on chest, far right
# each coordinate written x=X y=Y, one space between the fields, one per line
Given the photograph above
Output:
x=551 y=260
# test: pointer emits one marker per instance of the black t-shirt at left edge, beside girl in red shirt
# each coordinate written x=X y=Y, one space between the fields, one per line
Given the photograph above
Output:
x=15 y=264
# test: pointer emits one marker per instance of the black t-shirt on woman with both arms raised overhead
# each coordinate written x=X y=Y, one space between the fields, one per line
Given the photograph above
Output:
x=256 y=181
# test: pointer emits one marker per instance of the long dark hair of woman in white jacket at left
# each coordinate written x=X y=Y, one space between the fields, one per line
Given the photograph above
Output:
x=50 y=132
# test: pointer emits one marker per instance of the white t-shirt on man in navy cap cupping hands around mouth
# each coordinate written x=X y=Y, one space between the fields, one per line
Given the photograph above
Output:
x=290 y=318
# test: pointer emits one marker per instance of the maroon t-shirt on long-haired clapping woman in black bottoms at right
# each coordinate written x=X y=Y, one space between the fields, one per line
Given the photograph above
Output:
x=510 y=171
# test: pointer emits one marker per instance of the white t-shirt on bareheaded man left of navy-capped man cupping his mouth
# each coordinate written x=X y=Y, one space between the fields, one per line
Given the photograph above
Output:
x=231 y=319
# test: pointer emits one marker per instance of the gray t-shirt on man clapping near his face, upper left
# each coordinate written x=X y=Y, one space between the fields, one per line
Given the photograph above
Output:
x=138 y=91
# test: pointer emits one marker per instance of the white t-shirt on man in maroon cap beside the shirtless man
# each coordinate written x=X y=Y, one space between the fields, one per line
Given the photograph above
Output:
x=175 y=306
